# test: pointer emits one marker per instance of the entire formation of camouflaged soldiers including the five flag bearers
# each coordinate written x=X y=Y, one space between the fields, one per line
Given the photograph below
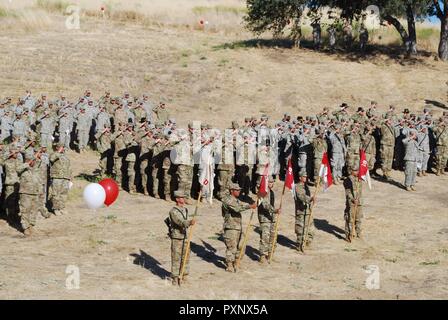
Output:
x=143 y=149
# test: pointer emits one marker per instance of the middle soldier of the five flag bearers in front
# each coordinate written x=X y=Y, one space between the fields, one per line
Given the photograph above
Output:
x=267 y=215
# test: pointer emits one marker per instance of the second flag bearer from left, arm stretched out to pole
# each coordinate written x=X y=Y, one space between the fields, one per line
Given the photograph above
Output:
x=231 y=212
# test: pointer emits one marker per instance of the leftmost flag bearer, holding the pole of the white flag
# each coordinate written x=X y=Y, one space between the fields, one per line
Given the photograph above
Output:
x=180 y=222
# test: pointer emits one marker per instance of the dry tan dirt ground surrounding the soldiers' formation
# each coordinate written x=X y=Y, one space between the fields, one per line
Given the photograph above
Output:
x=123 y=253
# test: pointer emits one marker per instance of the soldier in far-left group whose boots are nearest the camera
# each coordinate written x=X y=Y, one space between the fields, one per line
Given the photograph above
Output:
x=28 y=194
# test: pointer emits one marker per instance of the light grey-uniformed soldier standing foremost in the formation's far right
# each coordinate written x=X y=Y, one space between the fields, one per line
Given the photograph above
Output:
x=411 y=155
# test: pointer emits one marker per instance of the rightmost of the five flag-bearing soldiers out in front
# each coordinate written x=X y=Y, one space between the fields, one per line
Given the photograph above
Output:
x=353 y=204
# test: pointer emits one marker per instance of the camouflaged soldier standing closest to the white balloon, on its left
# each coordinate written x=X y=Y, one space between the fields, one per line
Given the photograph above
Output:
x=60 y=175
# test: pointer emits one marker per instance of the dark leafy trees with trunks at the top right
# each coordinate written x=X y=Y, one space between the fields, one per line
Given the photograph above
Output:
x=277 y=15
